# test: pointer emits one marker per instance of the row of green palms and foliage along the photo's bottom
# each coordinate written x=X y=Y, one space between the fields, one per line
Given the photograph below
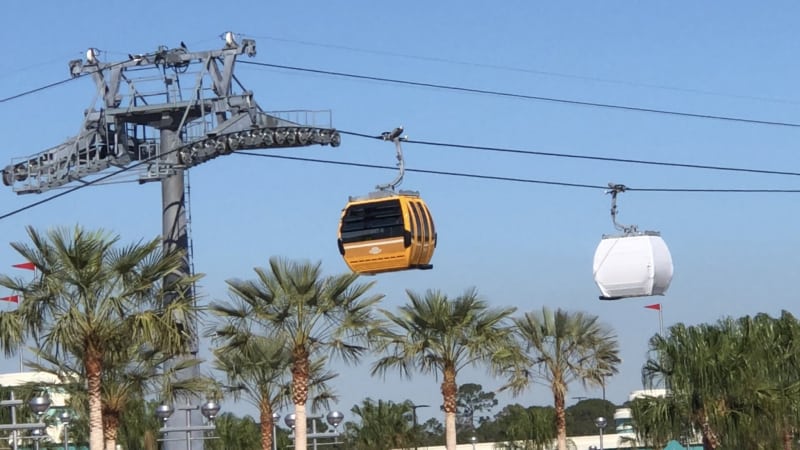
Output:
x=115 y=322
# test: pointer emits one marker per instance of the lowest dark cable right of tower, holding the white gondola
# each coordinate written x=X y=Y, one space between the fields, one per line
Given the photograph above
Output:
x=514 y=179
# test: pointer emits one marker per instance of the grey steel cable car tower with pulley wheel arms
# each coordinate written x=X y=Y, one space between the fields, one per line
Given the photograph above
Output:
x=162 y=113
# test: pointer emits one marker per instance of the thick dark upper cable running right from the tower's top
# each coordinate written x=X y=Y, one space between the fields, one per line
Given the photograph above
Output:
x=529 y=97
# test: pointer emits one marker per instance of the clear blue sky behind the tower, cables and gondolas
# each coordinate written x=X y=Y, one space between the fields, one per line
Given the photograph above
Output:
x=521 y=244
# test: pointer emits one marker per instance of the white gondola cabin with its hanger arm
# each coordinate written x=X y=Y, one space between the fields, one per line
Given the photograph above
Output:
x=633 y=264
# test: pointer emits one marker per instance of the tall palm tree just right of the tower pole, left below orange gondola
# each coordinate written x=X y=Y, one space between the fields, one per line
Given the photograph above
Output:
x=292 y=302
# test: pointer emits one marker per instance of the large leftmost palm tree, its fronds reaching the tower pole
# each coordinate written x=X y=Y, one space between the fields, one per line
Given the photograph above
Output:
x=93 y=300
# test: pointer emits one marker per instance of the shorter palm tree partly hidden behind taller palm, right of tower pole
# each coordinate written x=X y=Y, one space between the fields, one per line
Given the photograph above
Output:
x=257 y=368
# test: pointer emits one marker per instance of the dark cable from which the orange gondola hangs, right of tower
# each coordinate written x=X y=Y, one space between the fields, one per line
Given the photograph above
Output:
x=586 y=157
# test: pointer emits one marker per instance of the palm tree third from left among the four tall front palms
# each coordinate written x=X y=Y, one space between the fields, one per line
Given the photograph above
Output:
x=440 y=336
